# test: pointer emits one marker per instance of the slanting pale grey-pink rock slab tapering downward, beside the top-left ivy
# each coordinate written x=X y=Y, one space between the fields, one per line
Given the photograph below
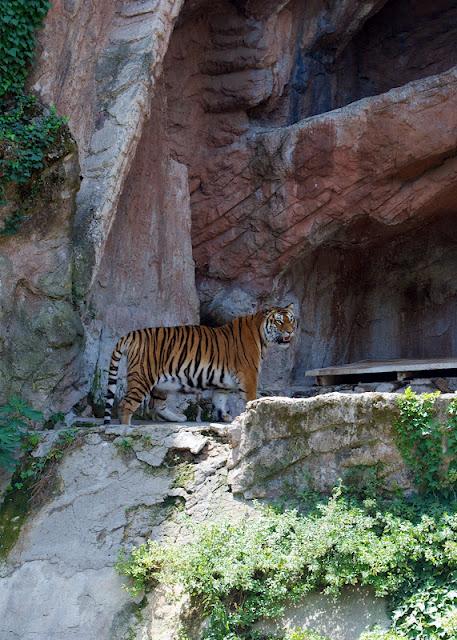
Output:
x=107 y=100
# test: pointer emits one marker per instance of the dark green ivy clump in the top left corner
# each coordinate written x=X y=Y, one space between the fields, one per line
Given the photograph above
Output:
x=19 y=20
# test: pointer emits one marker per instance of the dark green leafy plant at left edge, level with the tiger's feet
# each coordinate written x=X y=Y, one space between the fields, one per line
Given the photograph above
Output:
x=15 y=418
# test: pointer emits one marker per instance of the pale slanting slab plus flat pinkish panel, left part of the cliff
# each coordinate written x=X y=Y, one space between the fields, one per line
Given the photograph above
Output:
x=132 y=256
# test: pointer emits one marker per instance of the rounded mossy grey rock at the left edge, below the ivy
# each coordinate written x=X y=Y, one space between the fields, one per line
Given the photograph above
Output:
x=41 y=333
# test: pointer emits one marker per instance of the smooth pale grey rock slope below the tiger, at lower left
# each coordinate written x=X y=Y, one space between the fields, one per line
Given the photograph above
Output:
x=107 y=499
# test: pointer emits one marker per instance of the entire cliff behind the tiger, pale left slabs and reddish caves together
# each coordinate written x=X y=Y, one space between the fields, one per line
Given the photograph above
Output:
x=295 y=151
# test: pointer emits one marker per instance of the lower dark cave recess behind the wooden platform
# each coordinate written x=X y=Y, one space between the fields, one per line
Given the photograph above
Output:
x=393 y=297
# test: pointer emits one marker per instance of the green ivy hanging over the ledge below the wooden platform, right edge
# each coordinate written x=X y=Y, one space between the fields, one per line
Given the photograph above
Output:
x=428 y=447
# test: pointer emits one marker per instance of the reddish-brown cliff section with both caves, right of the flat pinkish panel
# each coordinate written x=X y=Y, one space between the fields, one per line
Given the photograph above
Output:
x=331 y=211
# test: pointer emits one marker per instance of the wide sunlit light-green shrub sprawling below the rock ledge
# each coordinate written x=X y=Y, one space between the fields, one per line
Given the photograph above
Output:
x=240 y=572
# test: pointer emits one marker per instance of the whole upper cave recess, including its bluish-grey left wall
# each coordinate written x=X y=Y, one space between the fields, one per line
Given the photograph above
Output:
x=340 y=59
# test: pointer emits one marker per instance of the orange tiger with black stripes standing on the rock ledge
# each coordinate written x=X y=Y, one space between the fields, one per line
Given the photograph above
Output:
x=197 y=357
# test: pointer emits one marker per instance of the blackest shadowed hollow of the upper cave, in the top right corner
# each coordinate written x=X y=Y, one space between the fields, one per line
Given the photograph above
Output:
x=404 y=41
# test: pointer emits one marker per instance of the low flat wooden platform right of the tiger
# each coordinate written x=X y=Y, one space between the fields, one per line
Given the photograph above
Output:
x=403 y=368
